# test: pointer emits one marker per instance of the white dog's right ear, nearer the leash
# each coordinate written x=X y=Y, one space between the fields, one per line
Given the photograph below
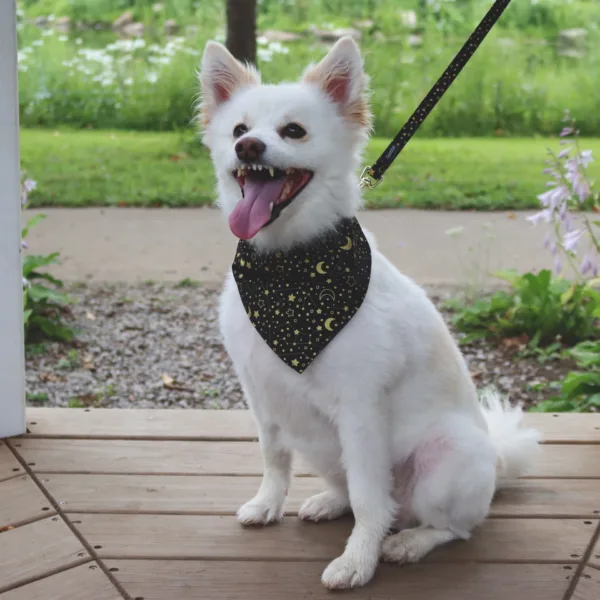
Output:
x=341 y=76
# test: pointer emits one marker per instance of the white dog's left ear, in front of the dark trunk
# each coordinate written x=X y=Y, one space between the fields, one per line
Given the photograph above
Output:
x=220 y=76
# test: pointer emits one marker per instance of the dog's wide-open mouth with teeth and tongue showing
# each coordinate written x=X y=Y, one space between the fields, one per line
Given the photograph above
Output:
x=266 y=192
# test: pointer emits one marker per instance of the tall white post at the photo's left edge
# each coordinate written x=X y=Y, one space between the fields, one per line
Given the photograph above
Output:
x=12 y=360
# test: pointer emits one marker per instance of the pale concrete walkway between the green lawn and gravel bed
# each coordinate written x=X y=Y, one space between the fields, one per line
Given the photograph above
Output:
x=120 y=244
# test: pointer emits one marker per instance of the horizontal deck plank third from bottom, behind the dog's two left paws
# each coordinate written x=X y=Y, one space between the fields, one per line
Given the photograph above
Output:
x=224 y=495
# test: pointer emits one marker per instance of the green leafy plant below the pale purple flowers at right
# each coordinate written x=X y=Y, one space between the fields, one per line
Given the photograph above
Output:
x=540 y=307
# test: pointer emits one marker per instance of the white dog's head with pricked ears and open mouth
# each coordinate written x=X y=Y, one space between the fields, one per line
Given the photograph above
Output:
x=286 y=156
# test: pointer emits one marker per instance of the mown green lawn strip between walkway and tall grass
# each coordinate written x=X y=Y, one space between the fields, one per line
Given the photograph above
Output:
x=106 y=168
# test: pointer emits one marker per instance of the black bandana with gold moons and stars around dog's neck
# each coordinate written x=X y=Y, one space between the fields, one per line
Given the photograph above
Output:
x=300 y=300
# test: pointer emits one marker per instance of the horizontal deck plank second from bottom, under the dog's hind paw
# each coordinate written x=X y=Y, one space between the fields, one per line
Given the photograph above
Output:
x=218 y=537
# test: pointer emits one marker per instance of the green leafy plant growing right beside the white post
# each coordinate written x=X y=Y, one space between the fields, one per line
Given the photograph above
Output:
x=44 y=304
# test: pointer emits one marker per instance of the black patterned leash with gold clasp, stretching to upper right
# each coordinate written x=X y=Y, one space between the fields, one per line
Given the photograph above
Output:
x=371 y=176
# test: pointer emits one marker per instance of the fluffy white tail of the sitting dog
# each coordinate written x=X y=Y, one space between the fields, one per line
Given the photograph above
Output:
x=517 y=447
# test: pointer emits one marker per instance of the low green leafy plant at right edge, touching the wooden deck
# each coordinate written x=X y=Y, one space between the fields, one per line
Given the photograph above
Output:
x=580 y=390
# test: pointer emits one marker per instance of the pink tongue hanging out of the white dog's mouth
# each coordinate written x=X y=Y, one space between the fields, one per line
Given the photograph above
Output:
x=253 y=211
